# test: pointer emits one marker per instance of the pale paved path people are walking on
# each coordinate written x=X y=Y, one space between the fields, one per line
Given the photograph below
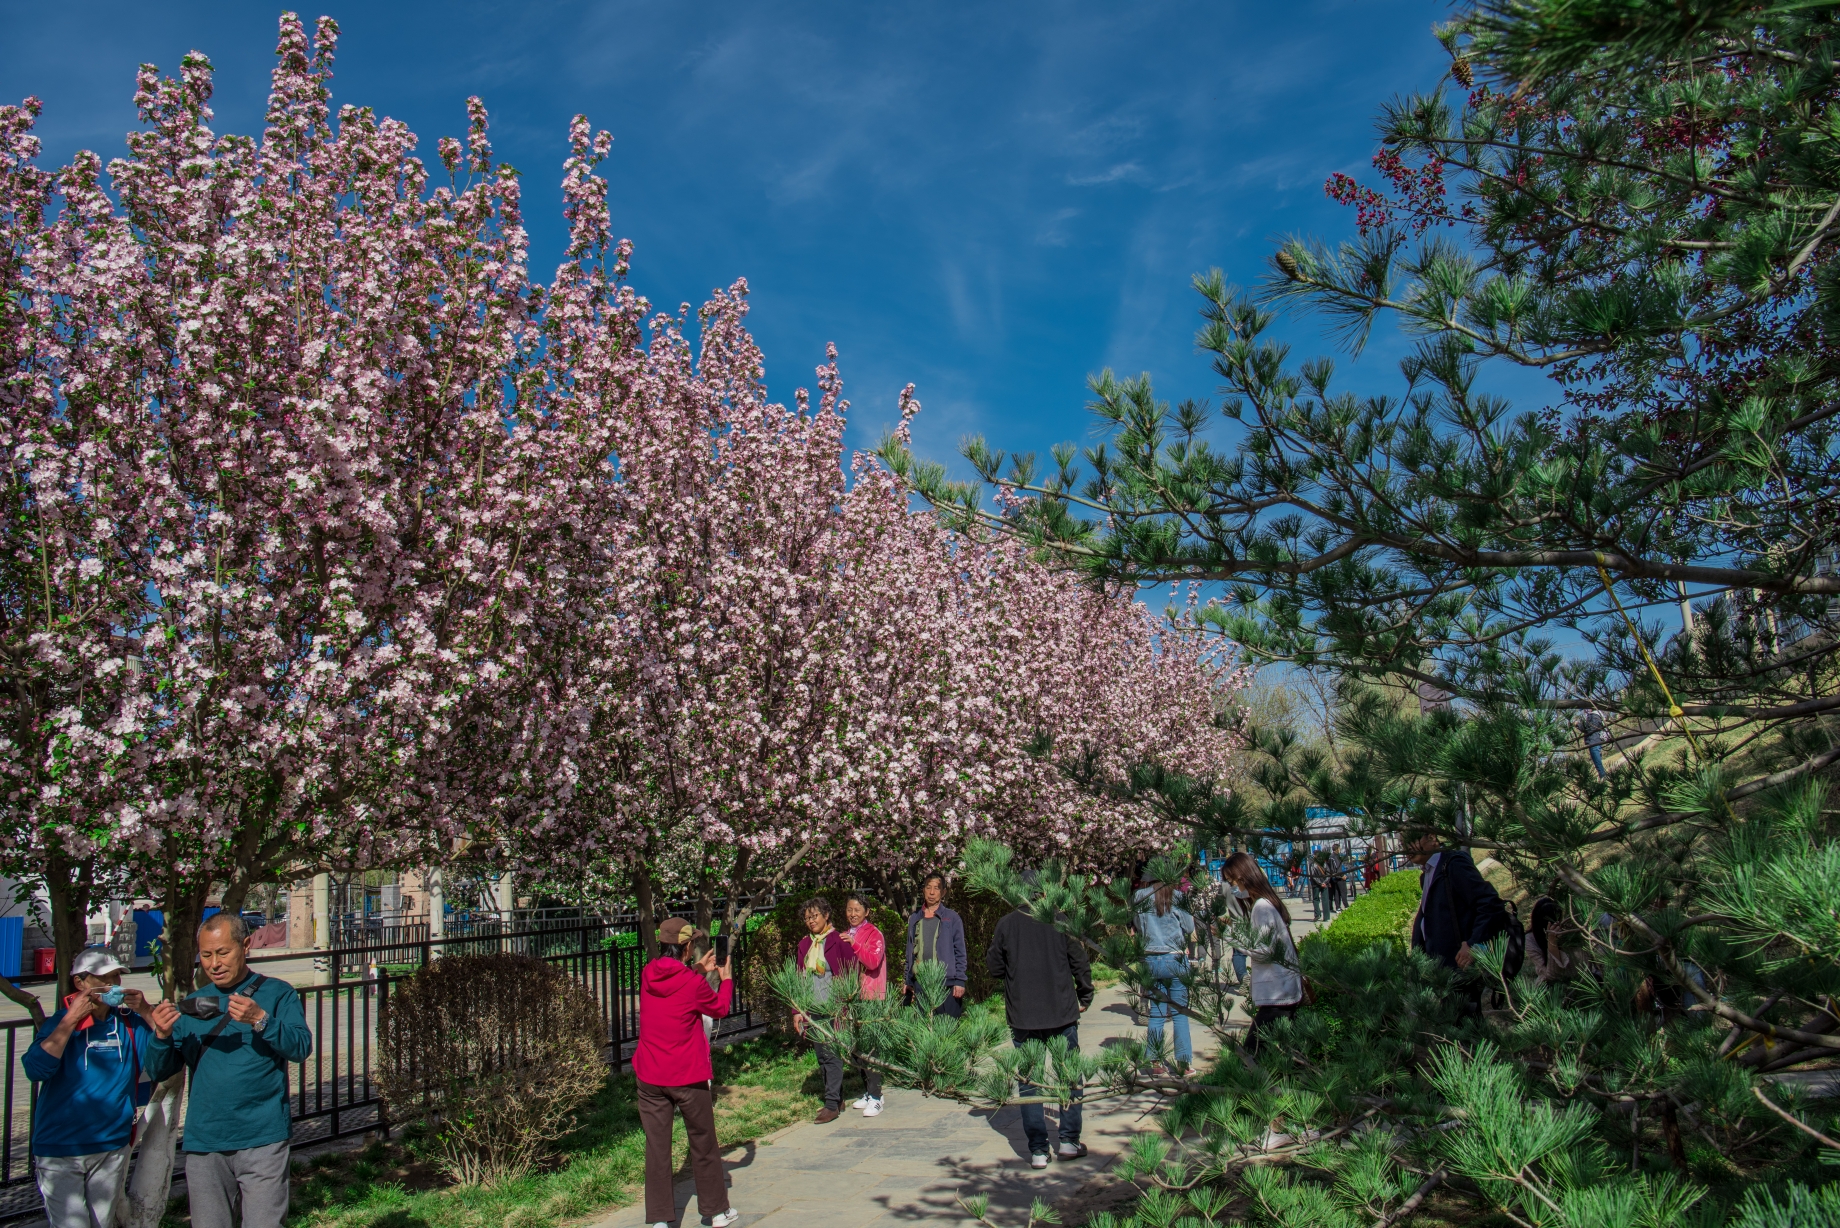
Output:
x=912 y=1164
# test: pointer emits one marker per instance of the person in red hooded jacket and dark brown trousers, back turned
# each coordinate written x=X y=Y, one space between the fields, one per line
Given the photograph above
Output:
x=674 y=1072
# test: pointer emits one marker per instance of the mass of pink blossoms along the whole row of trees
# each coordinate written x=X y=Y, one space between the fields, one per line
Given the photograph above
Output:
x=332 y=537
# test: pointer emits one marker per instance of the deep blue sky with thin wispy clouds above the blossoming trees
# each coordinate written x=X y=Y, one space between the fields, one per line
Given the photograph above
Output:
x=989 y=202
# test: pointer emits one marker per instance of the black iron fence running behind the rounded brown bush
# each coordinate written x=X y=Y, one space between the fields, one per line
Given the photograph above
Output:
x=332 y=1093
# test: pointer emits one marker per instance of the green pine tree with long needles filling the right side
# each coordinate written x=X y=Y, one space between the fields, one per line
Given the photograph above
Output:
x=1644 y=202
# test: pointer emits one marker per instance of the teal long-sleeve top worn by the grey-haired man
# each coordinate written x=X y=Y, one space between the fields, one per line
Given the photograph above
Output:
x=240 y=1076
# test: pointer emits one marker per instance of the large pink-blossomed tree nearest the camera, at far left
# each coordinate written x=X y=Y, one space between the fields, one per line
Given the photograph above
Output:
x=262 y=487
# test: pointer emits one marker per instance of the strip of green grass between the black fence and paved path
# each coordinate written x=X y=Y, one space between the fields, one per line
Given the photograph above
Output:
x=763 y=1085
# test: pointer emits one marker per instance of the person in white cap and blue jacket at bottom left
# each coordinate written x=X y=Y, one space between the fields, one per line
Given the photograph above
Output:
x=87 y=1061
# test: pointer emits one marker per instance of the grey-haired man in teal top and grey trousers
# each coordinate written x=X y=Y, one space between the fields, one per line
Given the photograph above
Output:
x=238 y=1037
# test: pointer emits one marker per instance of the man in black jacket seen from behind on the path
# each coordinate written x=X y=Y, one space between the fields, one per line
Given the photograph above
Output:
x=1048 y=982
